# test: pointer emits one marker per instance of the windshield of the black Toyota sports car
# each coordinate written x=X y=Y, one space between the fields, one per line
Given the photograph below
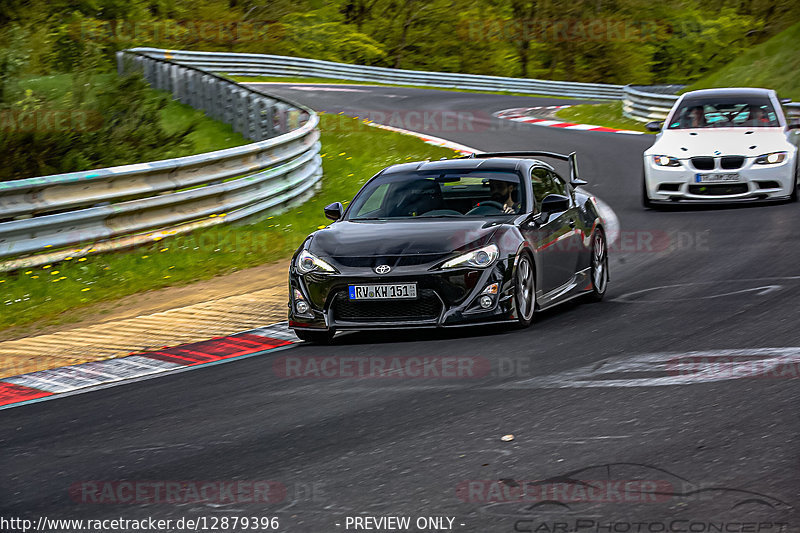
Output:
x=438 y=194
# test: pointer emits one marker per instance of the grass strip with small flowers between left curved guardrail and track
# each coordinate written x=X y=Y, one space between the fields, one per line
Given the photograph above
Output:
x=352 y=153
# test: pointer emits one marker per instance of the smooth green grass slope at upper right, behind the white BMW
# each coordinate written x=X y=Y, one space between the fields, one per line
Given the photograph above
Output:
x=774 y=64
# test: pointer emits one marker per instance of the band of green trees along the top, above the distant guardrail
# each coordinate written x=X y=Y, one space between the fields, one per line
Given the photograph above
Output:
x=638 y=41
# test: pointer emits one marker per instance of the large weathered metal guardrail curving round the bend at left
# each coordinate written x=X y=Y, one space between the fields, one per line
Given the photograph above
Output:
x=118 y=207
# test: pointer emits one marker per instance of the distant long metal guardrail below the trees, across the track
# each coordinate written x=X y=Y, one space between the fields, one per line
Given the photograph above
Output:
x=271 y=65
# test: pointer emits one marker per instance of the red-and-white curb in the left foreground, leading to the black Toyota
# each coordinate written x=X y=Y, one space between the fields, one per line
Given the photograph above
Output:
x=18 y=390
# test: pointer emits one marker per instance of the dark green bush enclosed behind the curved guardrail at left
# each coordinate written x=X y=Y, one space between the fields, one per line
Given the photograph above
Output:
x=89 y=125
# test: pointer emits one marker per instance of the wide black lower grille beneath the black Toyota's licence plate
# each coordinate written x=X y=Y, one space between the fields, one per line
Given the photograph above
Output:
x=426 y=307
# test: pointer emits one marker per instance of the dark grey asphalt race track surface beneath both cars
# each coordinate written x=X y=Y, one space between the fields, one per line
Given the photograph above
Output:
x=597 y=396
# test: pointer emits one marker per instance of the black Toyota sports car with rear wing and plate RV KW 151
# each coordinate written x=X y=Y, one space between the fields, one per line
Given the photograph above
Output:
x=488 y=238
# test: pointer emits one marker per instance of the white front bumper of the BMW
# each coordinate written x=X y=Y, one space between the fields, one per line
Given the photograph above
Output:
x=753 y=183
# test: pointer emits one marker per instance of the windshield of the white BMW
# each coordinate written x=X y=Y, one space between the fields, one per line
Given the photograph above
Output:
x=725 y=112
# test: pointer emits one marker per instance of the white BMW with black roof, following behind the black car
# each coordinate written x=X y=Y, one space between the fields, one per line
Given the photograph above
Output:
x=723 y=145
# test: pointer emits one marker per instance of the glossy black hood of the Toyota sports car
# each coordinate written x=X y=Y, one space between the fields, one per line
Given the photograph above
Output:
x=406 y=237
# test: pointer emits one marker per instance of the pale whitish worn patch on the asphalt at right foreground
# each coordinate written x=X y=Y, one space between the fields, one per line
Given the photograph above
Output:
x=674 y=368
